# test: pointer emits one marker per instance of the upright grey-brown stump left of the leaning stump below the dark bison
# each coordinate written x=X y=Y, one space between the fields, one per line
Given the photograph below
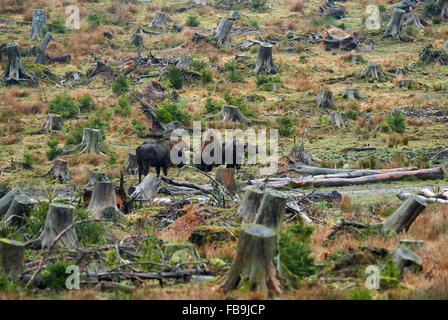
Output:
x=104 y=203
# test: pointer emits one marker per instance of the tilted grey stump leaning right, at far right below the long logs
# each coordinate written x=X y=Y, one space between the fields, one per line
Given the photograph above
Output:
x=404 y=216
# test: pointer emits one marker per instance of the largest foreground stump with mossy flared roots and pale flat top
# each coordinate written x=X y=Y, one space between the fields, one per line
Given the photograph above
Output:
x=253 y=267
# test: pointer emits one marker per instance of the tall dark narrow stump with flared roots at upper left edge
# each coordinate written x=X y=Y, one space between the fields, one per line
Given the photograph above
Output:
x=15 y=71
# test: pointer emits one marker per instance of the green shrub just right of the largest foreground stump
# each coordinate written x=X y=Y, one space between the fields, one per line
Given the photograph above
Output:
x=294 y=247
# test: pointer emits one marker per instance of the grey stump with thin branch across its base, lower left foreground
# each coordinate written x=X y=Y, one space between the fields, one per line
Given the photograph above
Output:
x=59 y=218
